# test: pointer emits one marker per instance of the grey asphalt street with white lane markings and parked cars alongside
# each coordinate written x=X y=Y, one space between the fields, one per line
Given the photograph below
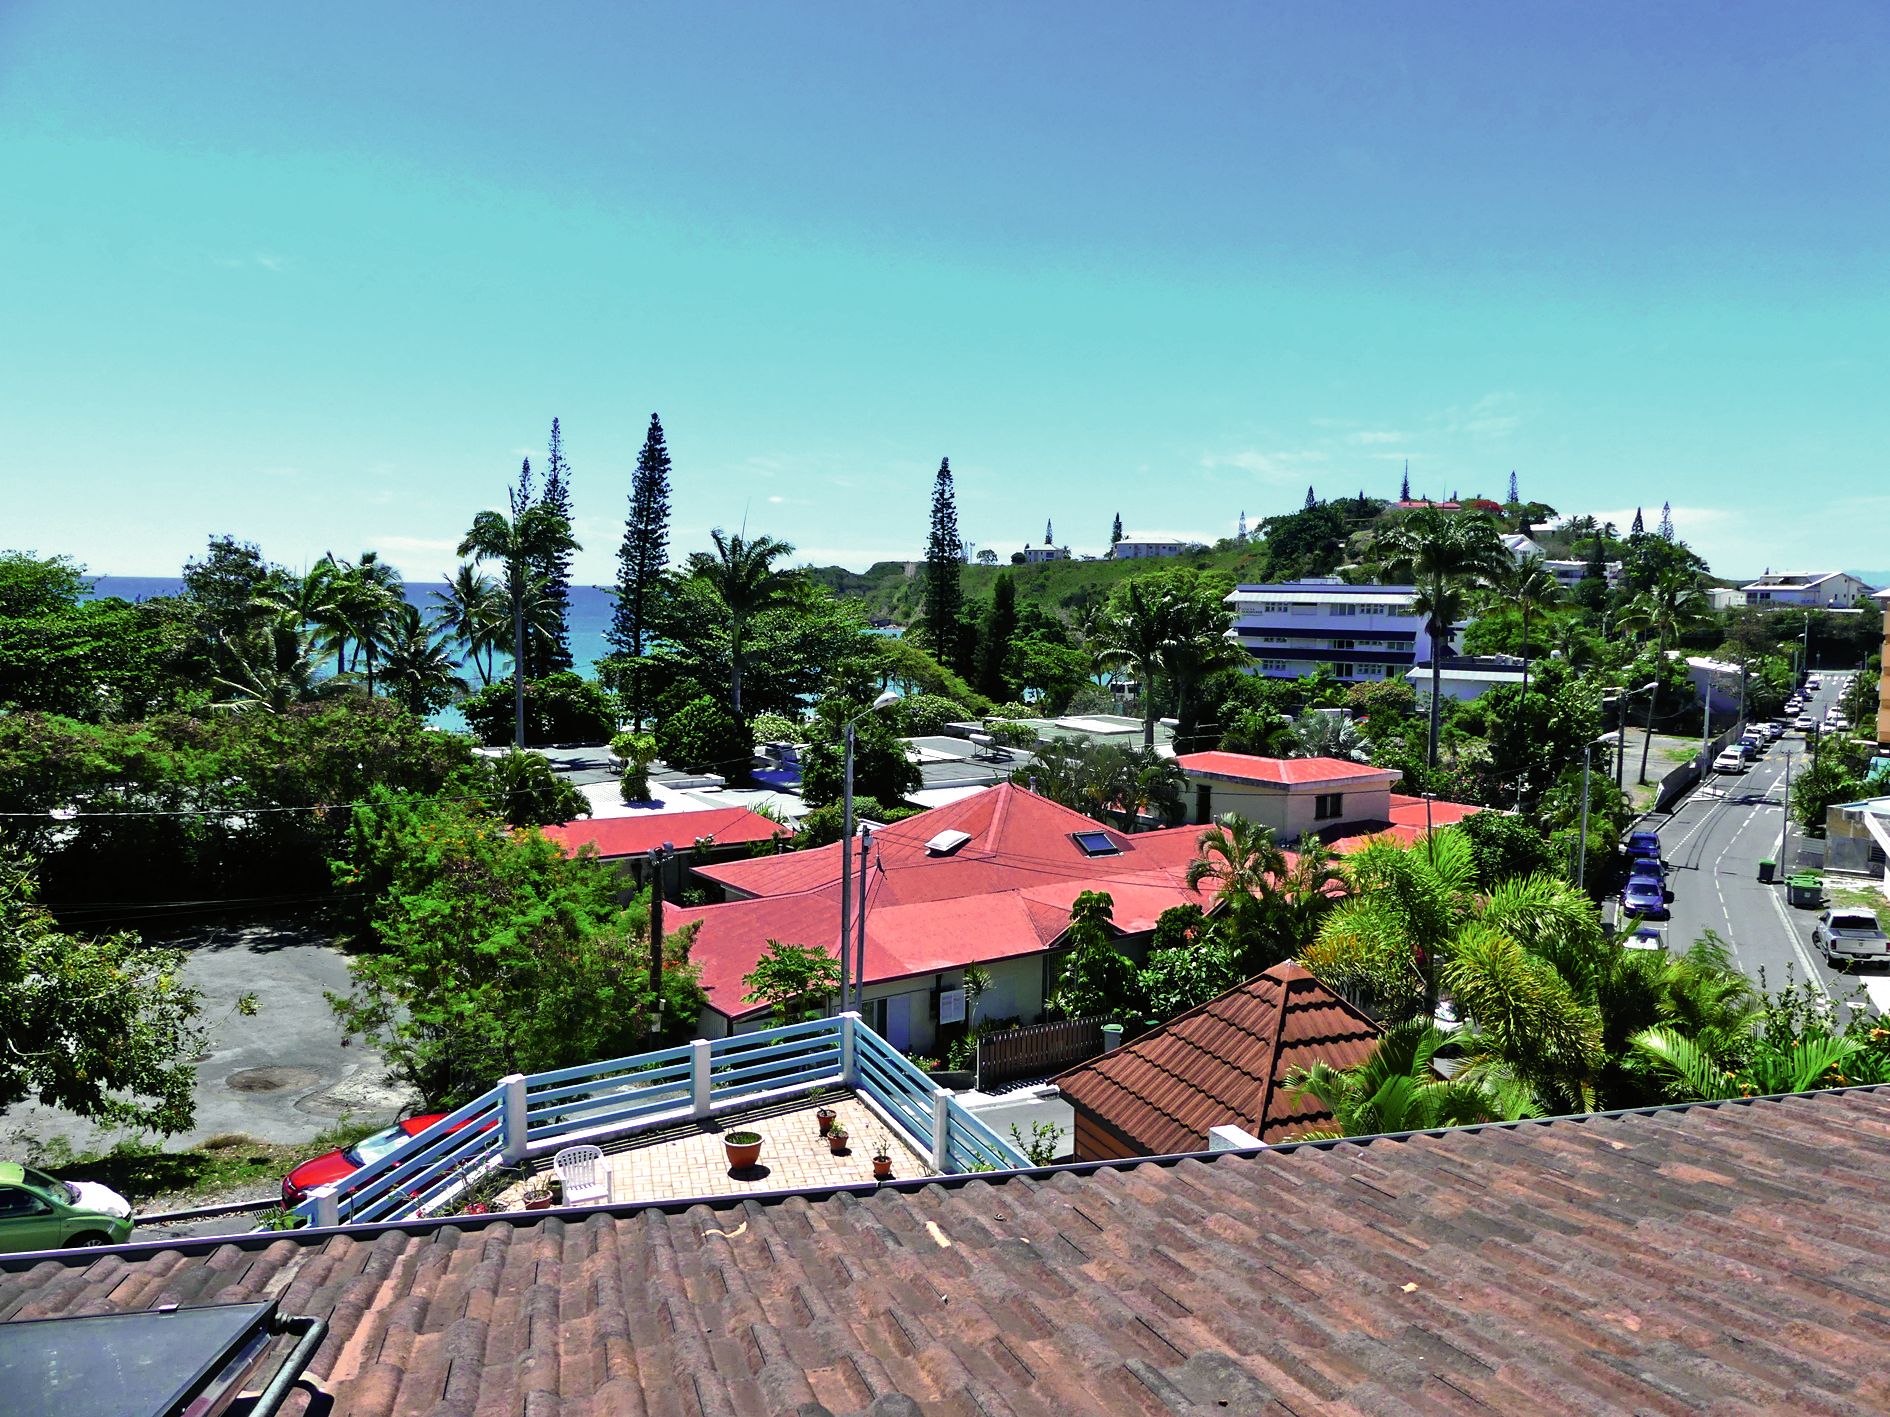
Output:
x=1713 y=845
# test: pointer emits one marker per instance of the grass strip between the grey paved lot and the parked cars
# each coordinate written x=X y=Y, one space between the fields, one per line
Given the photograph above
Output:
x=230 y=1161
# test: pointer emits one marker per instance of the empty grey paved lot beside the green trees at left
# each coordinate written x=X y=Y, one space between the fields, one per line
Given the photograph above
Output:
x=281 y=1076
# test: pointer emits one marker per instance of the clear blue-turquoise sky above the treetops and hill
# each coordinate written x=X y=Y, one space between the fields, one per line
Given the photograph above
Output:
x=320 y=277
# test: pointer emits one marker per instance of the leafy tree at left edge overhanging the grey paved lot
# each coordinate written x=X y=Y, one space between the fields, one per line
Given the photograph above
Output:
x=97 y=1027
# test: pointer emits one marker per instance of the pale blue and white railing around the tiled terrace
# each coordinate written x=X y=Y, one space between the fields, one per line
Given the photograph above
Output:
x=524 y=1118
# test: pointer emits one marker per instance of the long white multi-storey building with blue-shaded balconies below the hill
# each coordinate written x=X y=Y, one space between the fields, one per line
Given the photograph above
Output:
x=1358 y=632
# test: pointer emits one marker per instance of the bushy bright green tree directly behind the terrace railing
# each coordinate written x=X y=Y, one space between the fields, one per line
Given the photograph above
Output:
x=496 y=953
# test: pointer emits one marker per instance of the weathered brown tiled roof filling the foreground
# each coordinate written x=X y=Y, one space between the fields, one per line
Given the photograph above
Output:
x=1728 y=1259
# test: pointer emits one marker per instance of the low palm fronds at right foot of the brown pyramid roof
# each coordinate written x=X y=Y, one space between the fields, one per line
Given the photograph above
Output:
x=1400 y=1089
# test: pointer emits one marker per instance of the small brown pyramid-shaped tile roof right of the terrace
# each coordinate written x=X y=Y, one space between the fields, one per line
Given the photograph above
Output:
x=1222 y=1065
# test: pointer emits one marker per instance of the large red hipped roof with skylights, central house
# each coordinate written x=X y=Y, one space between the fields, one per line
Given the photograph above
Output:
x=1003 y=895
